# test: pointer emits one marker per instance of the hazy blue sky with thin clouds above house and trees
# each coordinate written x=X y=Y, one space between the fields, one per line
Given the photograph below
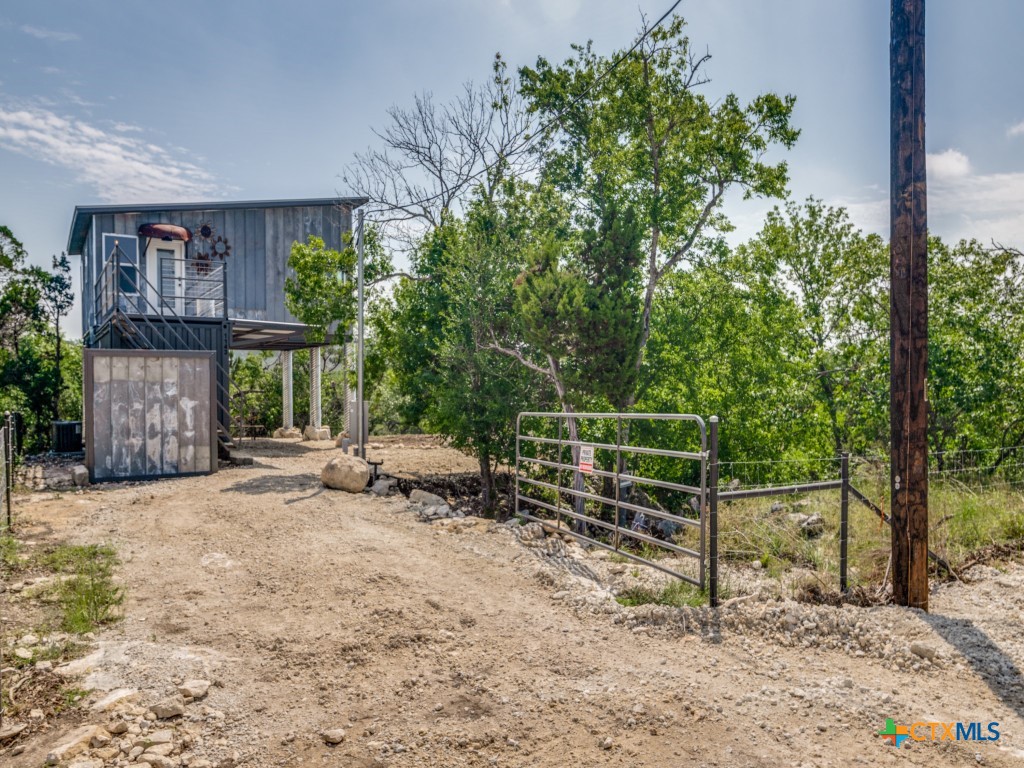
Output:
x=172 y=102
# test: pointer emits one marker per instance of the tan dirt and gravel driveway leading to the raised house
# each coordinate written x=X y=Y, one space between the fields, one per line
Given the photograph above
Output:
x=456 y=646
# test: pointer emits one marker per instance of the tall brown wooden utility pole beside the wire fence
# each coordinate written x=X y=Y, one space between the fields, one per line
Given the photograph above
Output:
x=909 y=308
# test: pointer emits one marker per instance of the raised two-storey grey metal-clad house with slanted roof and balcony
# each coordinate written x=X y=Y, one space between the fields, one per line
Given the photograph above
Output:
x=168 y=290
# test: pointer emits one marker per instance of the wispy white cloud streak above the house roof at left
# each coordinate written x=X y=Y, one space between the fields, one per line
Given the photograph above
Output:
x=121 y=169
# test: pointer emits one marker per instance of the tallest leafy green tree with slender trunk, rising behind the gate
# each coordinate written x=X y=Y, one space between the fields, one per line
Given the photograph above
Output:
x=645 y=136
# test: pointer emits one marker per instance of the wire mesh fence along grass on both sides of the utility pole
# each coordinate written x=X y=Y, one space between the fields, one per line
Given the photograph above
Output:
x=976 y=503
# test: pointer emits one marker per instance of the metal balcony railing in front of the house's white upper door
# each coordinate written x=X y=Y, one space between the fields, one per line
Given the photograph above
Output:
x=184 y=288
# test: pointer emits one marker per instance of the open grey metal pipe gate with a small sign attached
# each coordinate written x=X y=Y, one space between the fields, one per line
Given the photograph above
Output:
x=602 y=533
